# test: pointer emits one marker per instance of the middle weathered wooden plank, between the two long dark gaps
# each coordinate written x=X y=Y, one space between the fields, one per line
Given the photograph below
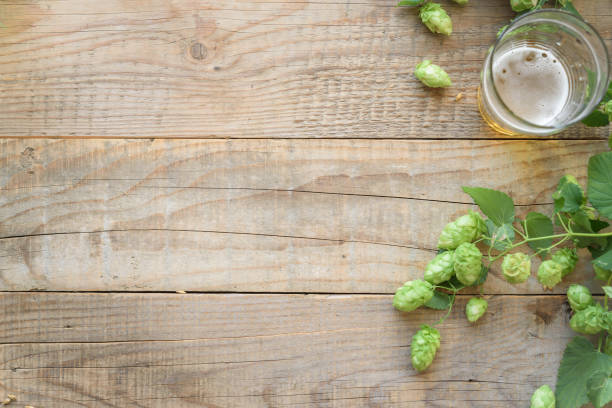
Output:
x=282 y=216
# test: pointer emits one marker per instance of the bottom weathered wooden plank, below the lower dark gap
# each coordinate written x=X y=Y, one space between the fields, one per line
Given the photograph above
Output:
x=151 y=350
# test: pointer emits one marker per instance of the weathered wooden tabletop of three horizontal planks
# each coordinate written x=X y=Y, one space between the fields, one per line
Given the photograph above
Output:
x=278 y=161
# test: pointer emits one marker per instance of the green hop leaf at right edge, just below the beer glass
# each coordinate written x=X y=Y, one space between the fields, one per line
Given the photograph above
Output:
x=600 y=183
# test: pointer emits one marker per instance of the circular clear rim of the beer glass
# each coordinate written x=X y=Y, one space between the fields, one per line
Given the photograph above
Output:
x=580 y=20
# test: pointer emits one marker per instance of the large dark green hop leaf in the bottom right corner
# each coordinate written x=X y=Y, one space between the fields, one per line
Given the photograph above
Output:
x=580 y=361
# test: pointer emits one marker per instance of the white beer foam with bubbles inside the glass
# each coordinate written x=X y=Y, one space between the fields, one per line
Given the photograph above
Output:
x=532 y=83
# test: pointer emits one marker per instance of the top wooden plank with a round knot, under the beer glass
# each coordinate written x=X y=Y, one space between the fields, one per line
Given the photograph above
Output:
x=290 y=69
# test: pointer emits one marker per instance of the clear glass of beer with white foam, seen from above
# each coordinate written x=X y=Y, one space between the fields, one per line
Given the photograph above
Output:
x=547 y=70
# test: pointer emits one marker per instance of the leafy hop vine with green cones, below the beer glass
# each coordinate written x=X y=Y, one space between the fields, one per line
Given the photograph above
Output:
x=577 y=221
